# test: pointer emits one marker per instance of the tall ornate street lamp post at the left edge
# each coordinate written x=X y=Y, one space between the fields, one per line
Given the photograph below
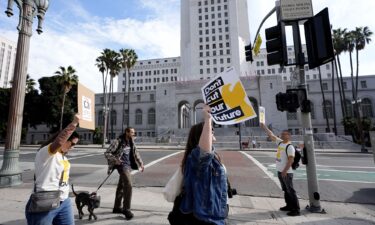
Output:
x=10 y=173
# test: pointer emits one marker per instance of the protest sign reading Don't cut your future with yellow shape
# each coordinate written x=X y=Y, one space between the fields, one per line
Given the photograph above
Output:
x=227 y=98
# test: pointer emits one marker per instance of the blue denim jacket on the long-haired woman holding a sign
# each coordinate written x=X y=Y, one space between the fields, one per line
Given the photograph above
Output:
x=205 y=187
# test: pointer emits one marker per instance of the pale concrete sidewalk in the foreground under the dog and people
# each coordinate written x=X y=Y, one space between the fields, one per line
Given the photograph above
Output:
x=150 y=207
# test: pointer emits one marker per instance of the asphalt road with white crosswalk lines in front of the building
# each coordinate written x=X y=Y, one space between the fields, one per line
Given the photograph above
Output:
x=343 y=177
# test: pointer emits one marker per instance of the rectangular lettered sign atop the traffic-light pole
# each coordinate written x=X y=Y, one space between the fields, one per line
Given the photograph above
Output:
x=295 y=9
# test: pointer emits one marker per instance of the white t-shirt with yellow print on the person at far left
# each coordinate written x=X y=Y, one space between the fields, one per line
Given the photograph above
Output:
x=48 y=171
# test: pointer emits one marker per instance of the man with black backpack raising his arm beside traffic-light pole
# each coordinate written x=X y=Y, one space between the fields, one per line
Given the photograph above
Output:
x=284 y=160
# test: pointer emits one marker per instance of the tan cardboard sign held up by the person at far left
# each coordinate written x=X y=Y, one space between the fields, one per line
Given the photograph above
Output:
x=86 y=102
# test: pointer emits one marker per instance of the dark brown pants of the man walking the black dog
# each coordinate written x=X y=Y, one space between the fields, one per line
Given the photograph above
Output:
x=124 y=190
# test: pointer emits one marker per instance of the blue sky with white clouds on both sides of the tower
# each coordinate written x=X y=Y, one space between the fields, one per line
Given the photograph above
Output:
x=76 y=31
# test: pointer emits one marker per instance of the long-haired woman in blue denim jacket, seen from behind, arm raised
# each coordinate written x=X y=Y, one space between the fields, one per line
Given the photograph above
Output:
x=205 y=179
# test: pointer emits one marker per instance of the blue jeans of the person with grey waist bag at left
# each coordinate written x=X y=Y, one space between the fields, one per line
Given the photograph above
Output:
x=60 y=216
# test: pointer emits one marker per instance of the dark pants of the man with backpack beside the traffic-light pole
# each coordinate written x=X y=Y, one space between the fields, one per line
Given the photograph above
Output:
x=290 y=195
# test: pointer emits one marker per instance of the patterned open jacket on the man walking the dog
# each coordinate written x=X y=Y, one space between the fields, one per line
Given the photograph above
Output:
x=114 y=152
